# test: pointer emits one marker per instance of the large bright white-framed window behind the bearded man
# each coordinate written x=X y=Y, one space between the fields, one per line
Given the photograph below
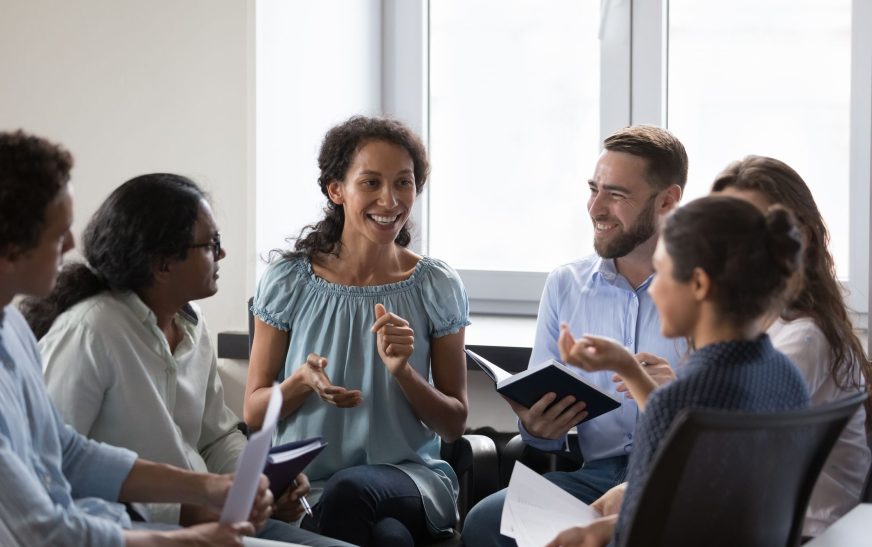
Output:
x=521 y=93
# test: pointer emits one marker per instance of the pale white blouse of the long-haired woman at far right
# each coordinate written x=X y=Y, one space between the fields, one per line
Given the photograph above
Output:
x=838 y=488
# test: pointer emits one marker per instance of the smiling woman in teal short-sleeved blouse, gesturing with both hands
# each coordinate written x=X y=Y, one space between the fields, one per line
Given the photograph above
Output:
x=366 y=339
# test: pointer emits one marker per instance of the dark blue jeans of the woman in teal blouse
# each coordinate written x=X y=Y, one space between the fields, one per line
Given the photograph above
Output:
x=375 y=505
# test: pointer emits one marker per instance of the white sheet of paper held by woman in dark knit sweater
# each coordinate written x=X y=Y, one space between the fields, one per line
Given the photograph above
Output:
x=536 y=509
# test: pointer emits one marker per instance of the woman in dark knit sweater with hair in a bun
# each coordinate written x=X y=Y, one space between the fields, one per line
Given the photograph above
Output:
x=720 y=265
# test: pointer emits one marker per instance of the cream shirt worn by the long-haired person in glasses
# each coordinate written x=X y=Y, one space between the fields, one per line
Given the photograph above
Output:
x=112 y=376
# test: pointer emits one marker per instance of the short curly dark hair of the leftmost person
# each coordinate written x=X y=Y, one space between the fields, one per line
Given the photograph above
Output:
x=32 y=172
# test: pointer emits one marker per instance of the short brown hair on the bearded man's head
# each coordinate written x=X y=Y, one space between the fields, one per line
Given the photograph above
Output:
x=665 y=155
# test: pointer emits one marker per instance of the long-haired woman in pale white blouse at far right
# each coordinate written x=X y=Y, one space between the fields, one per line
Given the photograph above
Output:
x=814 y=331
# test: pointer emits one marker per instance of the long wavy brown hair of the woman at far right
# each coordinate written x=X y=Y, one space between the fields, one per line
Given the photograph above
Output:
x=820 y=296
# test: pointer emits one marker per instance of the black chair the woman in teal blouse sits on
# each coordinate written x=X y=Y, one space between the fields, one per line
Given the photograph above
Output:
x=473 y=458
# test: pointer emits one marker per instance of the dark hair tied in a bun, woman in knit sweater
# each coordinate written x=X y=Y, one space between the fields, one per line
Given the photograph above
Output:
x=748 y=256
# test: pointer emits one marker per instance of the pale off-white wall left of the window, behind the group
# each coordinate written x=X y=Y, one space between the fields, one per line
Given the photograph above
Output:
x=132 y=87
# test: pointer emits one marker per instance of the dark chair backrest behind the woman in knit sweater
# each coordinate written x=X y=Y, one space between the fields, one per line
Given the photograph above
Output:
x=736 y=478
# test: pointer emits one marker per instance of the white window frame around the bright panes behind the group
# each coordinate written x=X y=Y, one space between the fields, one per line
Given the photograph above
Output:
x=633 y=74
